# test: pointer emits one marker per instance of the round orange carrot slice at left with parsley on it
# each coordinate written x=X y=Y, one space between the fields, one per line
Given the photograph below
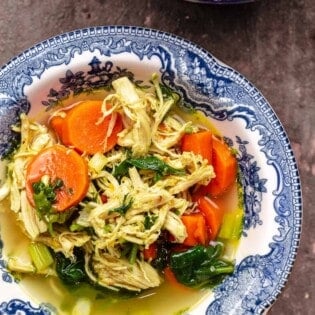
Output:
x=59 y=162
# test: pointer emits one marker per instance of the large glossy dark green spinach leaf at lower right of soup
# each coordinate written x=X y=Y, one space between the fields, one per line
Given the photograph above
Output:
x=201 y=266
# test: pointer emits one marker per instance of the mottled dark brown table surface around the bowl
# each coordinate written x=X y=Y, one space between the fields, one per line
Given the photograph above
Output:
x=271 y=42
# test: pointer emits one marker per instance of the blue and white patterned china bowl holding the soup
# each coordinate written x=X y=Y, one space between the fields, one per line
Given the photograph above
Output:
x=87 y=58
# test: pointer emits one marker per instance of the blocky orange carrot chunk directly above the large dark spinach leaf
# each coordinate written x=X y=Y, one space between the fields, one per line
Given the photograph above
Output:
x=196 y=229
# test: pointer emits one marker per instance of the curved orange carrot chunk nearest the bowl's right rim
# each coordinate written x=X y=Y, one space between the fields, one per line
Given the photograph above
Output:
x=225 y=168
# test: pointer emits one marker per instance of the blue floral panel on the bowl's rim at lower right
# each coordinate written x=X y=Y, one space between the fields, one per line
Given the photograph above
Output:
x=236 y=290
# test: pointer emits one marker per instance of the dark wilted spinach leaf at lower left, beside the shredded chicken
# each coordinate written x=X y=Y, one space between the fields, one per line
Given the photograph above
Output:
x=71 y=271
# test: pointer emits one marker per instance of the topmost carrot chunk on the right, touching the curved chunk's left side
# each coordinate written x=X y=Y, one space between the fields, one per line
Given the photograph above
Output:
x=198 y=143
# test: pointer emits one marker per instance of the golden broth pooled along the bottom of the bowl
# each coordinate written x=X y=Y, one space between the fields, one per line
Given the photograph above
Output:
x=151 y=302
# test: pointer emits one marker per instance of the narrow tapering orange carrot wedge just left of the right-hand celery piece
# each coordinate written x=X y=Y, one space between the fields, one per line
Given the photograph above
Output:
x=213 y=214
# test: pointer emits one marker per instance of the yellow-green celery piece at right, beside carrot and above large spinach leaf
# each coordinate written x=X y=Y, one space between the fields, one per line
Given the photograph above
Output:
x=232 y=225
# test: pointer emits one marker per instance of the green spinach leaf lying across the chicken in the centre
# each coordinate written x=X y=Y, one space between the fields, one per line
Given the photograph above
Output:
x=149 y=162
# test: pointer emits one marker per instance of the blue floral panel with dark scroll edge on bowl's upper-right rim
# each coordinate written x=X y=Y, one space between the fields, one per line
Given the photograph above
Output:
x=226 y=97
